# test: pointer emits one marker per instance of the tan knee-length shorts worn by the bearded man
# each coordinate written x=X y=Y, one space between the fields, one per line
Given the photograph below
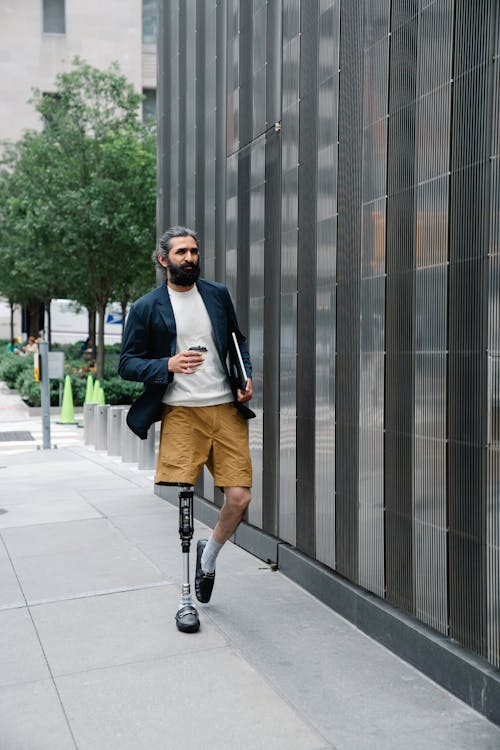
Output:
x=194 y=436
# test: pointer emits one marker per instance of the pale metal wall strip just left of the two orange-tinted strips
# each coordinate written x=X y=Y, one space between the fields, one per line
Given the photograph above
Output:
x=326 y=241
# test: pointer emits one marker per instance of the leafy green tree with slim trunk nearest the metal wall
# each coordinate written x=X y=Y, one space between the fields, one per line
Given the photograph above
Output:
x=102 y=162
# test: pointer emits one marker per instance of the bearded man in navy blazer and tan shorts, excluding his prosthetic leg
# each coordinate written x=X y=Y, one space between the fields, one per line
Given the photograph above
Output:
x=192 y=391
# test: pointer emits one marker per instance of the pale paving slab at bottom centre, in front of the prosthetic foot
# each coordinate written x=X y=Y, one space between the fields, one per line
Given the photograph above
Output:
x=211 y=699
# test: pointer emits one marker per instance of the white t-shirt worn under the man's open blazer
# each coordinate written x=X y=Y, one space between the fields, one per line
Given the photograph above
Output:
x=209 y=385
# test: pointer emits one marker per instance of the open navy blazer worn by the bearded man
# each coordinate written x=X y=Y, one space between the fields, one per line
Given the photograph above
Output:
x=150 y=339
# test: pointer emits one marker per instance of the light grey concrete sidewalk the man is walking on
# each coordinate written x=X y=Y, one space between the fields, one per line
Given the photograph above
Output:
x=90 y=656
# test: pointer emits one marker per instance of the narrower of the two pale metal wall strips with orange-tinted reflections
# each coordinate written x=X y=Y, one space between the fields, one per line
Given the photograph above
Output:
x=372 y=302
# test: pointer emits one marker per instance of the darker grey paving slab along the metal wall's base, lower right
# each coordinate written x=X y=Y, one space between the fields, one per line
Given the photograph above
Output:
x=295 y=642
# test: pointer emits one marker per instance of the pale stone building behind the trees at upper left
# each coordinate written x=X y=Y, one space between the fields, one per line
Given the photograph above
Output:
x=39 y=39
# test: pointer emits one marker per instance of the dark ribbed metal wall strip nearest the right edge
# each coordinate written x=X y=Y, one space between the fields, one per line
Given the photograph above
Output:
x=468 y=315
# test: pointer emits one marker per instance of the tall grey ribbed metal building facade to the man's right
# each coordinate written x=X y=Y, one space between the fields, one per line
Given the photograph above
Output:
x=341 y=162
